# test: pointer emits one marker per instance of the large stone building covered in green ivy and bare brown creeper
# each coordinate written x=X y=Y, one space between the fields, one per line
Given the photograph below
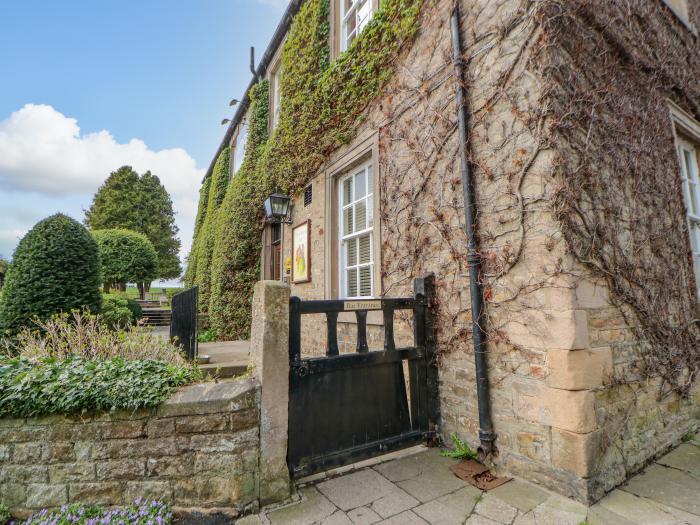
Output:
x=579 y=146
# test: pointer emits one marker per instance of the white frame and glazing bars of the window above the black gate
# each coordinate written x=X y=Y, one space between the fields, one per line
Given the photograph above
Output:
x=368 y=172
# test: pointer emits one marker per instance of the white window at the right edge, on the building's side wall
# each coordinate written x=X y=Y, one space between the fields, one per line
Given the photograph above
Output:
x=690 y=172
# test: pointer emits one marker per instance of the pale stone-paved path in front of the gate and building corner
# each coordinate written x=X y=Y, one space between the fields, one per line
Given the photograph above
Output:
x=420 y=489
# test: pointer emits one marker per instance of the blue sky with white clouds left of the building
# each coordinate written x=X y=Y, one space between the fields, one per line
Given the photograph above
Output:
x=87 y=86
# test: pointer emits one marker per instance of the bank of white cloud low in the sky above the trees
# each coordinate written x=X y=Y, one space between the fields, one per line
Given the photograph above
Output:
x=42 y=151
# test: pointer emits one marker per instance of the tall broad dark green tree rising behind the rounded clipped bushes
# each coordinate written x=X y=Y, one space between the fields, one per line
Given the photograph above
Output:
x=140 y=203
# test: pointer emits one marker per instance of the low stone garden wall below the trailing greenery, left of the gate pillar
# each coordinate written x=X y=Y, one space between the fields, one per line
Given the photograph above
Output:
x=198 y=451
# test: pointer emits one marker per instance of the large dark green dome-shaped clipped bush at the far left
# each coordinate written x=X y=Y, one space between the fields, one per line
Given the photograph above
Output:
x=56 y=268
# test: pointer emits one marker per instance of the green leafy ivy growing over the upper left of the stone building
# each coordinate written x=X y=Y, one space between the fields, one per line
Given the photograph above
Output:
x=323 y=102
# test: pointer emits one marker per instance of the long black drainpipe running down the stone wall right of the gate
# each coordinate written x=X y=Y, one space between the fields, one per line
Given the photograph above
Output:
x=486 y=434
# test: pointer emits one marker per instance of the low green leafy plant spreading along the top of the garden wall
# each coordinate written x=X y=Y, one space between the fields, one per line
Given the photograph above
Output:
x=44 y=386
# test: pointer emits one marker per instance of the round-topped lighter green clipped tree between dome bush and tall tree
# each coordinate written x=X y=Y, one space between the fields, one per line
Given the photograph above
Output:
x=126 y=257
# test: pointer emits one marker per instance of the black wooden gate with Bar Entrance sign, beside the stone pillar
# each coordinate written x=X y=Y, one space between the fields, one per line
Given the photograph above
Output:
x=348 y=407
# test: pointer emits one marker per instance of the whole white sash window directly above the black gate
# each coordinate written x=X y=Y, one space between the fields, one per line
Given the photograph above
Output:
x=356 y=232
